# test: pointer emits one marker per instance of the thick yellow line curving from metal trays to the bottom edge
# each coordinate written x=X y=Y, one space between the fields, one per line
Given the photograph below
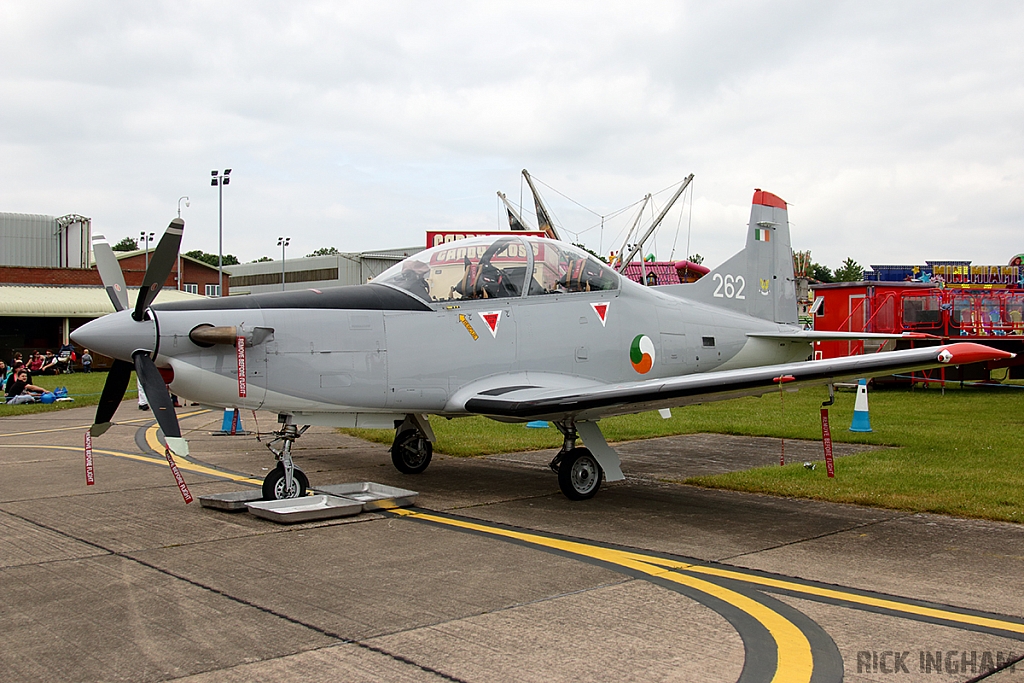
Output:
x=795 y=662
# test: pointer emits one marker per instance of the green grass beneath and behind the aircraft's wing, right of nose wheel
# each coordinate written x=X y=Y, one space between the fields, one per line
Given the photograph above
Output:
x=961 y=453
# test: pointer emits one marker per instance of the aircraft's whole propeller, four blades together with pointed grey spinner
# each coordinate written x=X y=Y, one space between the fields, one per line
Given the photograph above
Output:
x=131 y=337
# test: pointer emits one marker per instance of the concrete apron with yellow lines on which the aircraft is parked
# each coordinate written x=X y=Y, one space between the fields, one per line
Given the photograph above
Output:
x=494 y=577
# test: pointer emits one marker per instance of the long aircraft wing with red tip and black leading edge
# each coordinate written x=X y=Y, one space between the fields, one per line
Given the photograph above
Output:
x=533 y=403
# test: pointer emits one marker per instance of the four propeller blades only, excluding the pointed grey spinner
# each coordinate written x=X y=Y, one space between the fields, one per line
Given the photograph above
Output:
x=147 y=372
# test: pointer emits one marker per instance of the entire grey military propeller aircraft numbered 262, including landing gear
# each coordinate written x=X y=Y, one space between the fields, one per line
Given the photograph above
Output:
x=510 y=327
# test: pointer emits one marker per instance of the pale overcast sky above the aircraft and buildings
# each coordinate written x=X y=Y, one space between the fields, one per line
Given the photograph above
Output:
x=895 y=131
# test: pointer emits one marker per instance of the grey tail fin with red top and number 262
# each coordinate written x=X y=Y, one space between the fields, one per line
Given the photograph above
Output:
x=758 y=281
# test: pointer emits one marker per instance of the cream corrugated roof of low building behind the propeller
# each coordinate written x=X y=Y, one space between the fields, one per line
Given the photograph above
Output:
x=70 y=302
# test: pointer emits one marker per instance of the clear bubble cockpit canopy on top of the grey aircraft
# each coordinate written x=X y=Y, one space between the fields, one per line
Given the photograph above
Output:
x=497 y=267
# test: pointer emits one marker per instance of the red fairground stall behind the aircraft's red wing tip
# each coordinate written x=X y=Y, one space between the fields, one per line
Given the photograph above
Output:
x=932 y=315
